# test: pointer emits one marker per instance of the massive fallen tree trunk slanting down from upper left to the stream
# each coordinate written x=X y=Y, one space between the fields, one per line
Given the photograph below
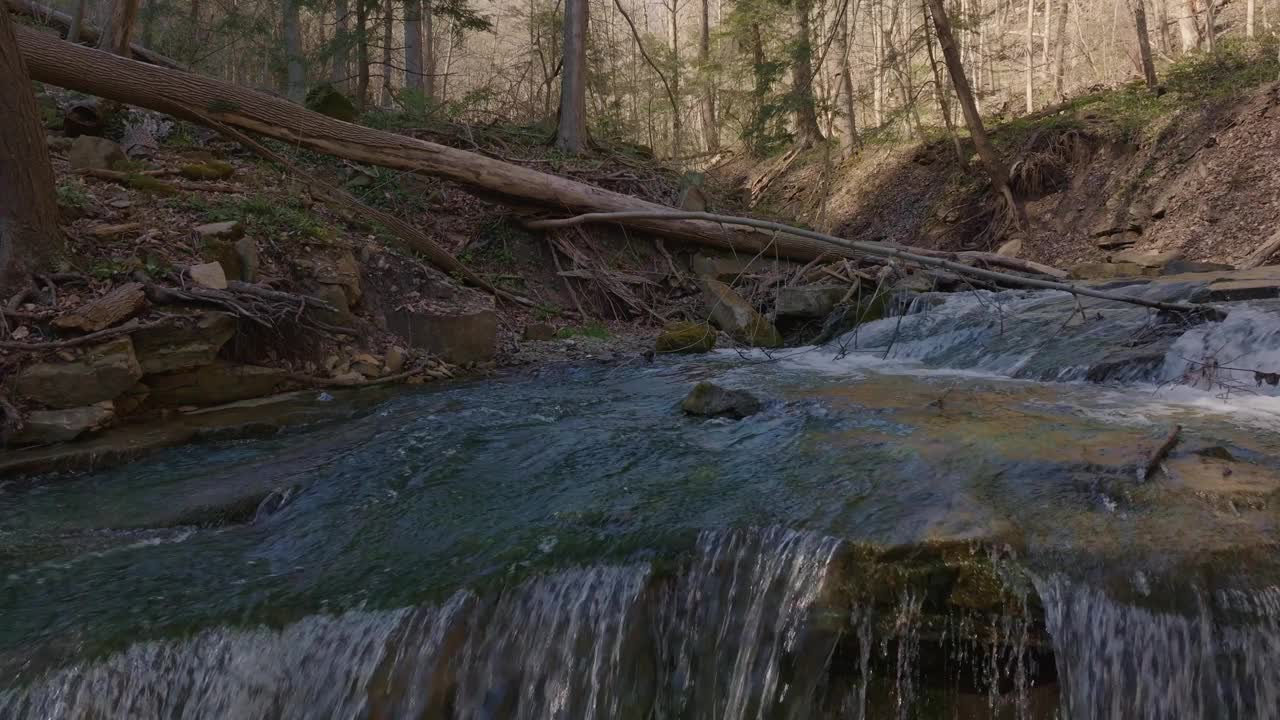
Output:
x=194 y=97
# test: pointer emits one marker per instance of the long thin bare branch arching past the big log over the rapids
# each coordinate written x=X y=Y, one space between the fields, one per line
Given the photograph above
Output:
x=883 y=250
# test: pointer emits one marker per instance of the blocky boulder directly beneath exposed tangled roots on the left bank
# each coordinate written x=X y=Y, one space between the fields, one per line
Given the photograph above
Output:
x=184 y=343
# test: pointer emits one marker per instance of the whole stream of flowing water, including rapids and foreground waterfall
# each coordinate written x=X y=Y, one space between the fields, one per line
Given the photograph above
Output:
x=935 y=517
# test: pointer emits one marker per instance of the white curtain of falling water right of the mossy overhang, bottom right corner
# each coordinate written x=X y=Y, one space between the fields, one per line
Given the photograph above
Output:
x=1124 y=662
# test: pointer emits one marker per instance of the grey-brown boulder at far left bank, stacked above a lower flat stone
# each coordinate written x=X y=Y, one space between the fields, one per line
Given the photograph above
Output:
x=102 y=373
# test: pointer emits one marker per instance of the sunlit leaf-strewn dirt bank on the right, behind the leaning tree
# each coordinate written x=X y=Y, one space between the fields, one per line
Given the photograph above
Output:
x=1192 y=172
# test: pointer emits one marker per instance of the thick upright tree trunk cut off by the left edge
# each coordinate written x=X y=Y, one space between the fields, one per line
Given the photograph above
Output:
x=30 y=238
